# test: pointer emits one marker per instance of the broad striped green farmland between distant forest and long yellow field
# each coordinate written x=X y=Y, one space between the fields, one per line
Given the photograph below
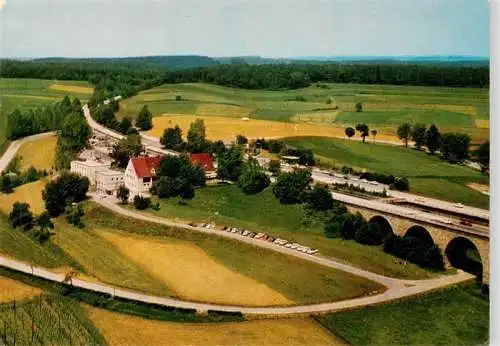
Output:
x=385 y=106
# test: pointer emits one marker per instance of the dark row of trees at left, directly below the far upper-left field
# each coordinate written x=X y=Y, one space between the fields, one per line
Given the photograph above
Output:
x=42 y=119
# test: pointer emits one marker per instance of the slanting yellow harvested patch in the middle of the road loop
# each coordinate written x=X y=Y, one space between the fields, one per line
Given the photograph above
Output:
x=191 y=273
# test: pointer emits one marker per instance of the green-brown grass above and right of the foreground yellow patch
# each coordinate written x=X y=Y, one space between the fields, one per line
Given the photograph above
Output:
x=299 y=280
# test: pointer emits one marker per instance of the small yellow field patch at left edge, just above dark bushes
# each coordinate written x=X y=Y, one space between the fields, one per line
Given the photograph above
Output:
x=28 y=193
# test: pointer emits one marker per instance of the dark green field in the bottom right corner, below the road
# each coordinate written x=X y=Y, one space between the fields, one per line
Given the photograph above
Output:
x=457 y=316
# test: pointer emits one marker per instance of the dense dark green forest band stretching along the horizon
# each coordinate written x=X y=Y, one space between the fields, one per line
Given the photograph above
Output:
x=127 y=79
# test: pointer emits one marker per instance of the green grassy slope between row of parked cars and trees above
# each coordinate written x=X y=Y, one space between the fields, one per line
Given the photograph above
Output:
x=254 y=212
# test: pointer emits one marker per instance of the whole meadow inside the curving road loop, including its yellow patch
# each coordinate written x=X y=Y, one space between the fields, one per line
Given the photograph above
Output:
x=206 y=268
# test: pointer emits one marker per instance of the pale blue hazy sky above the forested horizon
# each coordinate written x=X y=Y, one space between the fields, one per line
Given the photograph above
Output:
x=269 y=28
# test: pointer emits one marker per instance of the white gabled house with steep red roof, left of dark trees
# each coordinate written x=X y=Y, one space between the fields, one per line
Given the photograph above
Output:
x=140 y=175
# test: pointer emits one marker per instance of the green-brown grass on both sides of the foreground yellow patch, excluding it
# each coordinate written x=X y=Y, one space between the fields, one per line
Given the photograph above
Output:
x=85 y=250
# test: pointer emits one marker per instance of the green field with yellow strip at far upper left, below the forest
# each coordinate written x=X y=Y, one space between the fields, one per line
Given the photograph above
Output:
x=24 y=94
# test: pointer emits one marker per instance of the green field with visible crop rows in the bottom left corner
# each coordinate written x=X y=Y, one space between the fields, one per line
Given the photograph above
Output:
x=57 y=321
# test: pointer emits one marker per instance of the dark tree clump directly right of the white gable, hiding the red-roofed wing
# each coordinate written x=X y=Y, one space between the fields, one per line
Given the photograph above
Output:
x=177 y=176
